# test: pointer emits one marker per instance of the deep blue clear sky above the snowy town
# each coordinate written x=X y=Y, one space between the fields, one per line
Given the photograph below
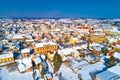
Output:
x=60 y=8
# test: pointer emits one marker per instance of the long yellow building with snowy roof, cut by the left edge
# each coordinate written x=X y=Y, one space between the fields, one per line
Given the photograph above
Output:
x=6 y=58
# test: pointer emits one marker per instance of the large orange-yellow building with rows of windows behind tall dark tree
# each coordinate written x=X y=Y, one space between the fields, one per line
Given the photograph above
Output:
x=44 y=48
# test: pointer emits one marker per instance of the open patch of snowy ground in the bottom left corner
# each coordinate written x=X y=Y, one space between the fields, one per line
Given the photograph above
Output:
x=5 y=75
